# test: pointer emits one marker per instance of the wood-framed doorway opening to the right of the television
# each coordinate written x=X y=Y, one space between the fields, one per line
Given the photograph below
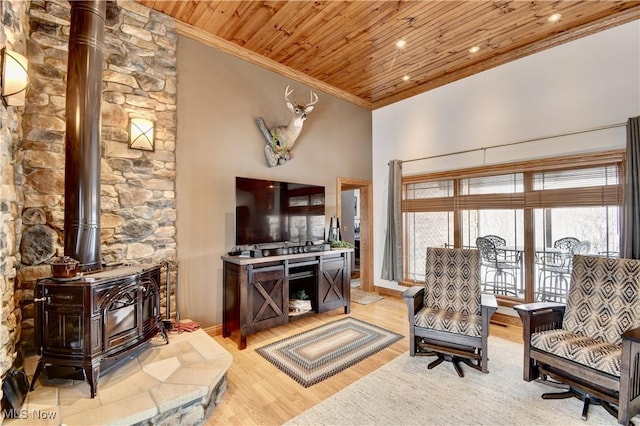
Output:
x=356 y=222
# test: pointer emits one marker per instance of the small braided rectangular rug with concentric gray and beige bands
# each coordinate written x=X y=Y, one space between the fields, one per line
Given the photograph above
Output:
x=317 y=354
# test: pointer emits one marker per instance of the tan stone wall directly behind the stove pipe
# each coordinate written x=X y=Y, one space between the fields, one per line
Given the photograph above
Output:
x=137 y=187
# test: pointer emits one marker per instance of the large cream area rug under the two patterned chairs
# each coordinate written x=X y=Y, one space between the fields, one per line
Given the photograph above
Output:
x=404 y=391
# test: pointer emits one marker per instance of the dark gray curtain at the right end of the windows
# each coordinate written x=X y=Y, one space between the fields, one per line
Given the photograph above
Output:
x=630 y=238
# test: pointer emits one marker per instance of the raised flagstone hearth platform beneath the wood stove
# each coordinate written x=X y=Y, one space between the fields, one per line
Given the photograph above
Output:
x=179 y=383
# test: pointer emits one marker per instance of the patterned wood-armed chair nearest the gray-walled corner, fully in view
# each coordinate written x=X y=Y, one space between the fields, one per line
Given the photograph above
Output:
x=448 y=316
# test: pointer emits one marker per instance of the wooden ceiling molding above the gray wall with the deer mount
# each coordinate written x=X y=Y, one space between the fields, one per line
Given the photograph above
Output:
x=254 y=58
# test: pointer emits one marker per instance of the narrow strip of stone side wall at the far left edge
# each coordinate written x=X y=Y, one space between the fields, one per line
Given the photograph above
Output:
x=12 y=36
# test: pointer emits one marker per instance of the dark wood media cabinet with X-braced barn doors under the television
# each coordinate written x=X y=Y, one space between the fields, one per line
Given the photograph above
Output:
x=257 y=290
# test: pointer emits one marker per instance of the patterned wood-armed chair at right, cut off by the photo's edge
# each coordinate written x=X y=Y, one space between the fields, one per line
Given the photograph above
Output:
x=591 y=344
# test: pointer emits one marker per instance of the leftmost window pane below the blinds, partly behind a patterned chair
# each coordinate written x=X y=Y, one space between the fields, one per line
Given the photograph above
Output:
x=433 y=229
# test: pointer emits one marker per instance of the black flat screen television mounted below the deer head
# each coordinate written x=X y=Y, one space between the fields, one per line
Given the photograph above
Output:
x=269 y=211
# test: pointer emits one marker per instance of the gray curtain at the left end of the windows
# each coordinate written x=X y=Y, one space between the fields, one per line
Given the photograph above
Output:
x=392 y=268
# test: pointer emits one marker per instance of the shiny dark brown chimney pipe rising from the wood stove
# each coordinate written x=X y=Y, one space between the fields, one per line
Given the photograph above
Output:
x=82 y=140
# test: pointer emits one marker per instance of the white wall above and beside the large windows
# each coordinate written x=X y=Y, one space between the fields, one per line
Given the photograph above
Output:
x=585 y=84
